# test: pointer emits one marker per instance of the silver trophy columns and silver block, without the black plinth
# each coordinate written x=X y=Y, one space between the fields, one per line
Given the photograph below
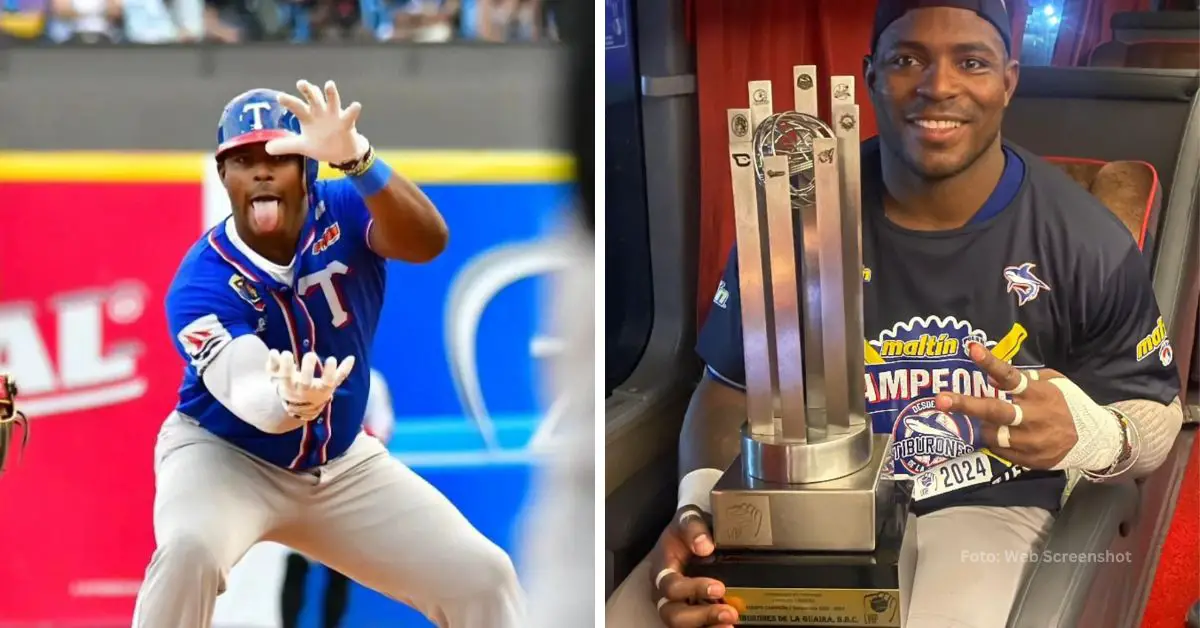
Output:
x=812 y=476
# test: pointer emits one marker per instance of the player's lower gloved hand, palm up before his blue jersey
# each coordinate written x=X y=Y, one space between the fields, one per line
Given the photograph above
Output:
x=305 y=394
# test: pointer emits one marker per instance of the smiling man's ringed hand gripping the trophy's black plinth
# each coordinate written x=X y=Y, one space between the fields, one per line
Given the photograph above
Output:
x=687 y=602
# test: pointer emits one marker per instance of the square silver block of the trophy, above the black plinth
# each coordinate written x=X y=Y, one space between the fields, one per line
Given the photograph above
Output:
x=844 y=515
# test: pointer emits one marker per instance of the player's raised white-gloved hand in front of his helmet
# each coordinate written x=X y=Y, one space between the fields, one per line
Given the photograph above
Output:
x=328 y=133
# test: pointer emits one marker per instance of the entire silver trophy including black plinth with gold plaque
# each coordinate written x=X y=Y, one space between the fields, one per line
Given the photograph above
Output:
x=808 y=523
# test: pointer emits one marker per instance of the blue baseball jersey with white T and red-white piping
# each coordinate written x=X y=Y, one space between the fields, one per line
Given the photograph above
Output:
x=332 y=309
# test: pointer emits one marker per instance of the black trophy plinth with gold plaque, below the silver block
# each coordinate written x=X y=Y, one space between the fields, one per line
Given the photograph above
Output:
x=815 y=589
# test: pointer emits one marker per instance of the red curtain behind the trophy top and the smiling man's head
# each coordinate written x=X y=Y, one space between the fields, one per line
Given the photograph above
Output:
x=742 y=41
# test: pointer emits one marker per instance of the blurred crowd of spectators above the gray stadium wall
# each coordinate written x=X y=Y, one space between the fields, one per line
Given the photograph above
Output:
x=158 y=22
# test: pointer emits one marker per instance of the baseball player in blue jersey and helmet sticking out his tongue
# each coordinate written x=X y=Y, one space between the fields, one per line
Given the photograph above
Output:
x=273 y=310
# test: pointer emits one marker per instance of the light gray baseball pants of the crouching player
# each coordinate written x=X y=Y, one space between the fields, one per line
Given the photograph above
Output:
x=364 y=515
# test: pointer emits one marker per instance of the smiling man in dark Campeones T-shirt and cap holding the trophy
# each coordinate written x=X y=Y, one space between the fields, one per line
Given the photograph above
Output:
x=1012 y=336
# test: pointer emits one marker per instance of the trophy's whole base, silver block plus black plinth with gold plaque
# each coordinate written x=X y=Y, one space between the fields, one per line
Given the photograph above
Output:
x=821 y=554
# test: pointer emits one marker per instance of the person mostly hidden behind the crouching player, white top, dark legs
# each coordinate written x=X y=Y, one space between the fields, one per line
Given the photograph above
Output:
x=380 y=421
